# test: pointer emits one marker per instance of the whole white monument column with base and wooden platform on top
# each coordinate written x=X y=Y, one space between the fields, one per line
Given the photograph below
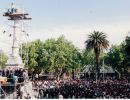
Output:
x=15 y=15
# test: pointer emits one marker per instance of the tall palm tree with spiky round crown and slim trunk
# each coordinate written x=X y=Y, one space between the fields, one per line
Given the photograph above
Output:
x=97 y=41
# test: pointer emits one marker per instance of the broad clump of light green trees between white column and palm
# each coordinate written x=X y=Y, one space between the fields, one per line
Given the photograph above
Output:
x=54 y=56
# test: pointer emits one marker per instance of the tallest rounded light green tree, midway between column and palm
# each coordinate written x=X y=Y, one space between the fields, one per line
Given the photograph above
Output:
x=63 y=55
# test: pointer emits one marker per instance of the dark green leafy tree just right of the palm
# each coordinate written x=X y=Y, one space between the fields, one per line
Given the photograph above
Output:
x=115 y=58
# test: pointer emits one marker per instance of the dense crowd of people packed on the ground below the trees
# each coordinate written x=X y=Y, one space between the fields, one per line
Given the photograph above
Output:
x=79 y=89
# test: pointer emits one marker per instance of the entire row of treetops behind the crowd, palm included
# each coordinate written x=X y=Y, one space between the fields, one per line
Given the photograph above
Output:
x=59 y=55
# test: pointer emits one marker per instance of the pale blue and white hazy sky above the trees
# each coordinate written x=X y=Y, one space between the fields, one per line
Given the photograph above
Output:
x=73 y=18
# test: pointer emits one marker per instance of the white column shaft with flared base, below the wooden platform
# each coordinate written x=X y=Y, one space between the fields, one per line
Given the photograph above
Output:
x=15 y=61
